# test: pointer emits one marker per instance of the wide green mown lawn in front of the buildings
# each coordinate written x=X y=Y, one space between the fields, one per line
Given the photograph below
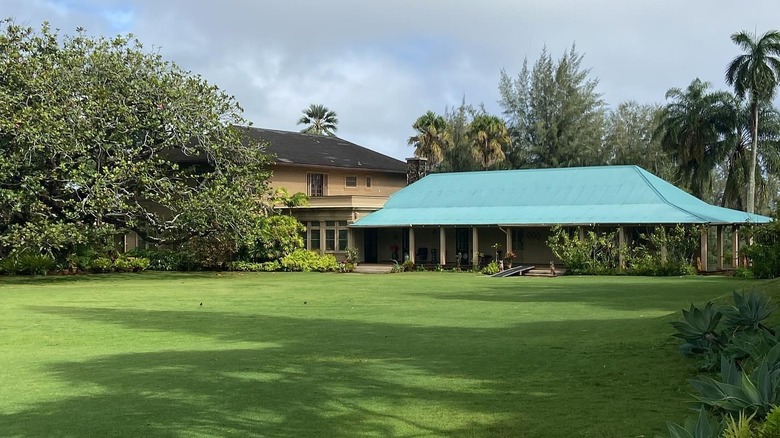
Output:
x=292 y=355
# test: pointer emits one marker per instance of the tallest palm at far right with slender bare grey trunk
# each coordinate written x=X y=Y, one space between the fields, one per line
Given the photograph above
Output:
x=755 y=74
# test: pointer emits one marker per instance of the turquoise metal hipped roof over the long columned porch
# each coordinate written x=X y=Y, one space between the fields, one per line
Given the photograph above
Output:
x=568 y=196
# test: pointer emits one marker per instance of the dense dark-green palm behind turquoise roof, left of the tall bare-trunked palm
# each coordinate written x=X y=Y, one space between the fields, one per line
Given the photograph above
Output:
x=691 y=129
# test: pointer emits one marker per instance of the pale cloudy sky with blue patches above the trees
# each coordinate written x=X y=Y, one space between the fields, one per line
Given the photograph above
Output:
x=380 y=65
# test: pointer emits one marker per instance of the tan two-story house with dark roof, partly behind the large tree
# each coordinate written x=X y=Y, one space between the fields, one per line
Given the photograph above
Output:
x=344 y=182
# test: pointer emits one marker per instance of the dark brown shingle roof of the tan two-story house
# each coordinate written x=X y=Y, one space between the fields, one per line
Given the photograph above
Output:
x=294 y=148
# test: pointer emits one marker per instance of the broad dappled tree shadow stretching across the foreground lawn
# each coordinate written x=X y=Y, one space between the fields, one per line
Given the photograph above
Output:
x=324 y=377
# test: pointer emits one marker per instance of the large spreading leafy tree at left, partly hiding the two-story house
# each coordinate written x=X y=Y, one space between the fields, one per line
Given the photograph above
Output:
x=99 y=136
